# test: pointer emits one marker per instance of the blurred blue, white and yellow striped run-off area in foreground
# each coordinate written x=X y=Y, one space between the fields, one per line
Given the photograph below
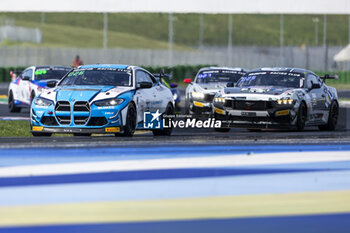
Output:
x=298 y=187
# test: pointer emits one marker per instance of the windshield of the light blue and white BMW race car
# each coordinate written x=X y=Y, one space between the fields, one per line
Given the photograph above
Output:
x=101 y=77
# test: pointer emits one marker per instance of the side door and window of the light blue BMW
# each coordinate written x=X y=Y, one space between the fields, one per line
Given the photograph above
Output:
x=143 y=96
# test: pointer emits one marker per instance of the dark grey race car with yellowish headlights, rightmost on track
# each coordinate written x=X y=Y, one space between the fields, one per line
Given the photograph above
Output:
x=279 y=97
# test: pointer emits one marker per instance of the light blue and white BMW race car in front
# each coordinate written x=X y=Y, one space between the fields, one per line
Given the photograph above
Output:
x=101 y=99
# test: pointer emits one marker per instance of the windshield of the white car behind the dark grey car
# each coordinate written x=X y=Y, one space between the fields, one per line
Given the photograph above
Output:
x=226 y=76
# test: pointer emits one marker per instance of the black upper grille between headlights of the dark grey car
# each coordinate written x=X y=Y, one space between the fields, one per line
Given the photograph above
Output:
x=248 y=105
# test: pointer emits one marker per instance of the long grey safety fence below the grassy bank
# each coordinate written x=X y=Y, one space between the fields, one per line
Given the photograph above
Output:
x=314 y=58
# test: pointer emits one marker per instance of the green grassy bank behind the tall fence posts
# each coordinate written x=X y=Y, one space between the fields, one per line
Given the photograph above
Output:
x=150 y=30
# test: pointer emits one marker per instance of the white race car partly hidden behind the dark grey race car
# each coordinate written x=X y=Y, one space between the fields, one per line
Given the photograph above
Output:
x=200 y=93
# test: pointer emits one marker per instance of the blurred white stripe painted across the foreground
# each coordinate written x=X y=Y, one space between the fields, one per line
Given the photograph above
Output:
x=176 y=163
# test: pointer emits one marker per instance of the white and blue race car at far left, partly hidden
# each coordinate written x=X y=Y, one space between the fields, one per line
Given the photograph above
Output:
x=31 y=82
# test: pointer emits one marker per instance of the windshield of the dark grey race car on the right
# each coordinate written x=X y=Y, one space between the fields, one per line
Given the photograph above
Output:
x=281 y=79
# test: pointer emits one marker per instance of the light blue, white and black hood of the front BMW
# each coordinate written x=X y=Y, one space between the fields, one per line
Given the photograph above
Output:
x=84 y=93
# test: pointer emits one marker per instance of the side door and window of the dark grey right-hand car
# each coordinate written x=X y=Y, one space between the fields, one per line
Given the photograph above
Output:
x=318 y=97
